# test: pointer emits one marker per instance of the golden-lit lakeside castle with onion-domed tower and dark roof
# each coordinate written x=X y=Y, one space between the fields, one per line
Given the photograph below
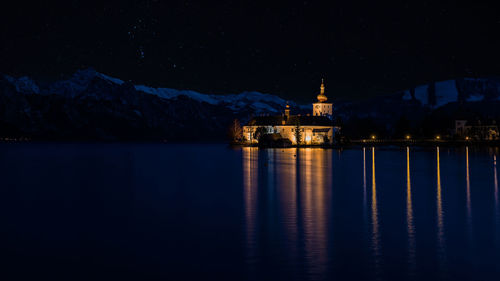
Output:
x=313 y=130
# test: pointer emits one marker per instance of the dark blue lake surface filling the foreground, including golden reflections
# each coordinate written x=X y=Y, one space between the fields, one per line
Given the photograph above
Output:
x=199 y=212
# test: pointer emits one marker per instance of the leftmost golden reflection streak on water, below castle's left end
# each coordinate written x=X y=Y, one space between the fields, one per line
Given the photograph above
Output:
x=250 y=186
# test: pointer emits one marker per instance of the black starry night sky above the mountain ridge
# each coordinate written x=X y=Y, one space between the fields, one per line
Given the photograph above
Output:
x=362 y=49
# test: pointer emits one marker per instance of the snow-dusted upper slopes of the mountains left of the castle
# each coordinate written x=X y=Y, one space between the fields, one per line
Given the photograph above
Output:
x=76 y=85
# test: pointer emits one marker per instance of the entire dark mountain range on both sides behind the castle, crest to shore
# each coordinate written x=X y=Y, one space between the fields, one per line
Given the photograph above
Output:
x=93 y=106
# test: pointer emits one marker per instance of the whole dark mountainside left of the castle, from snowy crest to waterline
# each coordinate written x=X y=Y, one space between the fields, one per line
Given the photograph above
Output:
x=93 y=106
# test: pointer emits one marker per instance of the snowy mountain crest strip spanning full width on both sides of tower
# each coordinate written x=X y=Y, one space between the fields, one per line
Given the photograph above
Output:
x=451 y=90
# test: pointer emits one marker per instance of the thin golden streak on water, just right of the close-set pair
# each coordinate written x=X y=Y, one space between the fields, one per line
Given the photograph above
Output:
x=409 y=216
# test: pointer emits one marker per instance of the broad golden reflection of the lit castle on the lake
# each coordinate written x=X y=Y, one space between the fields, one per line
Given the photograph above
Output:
x=301 y=181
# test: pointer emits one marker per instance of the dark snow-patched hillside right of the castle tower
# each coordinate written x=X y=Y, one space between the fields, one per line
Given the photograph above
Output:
x=424 y=110
